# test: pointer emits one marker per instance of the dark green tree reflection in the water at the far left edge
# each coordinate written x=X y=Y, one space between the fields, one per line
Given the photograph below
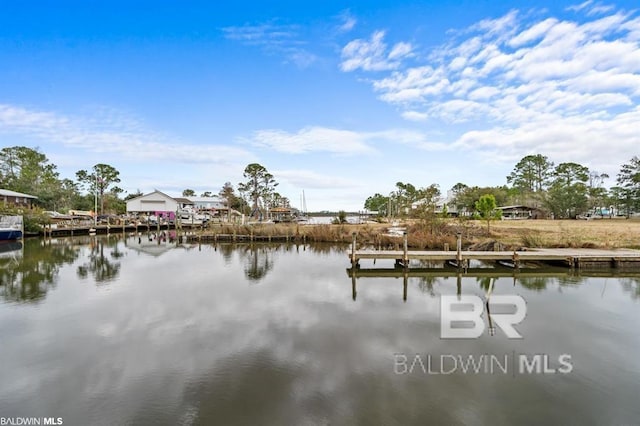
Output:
x=26 y=277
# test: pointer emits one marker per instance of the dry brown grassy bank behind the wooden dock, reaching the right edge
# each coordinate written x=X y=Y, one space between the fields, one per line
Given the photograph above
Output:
x=510 y=235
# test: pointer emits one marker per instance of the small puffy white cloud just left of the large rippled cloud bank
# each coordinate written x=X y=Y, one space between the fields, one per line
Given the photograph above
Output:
x=371 y=55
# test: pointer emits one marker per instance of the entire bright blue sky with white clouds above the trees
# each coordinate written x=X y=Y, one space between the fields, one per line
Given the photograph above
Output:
x=339 y=99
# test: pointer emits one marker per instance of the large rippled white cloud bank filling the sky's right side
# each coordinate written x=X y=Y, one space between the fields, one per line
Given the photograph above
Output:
x=526 y=83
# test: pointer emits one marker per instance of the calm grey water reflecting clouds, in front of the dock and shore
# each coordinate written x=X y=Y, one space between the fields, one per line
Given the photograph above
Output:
x=114 y=331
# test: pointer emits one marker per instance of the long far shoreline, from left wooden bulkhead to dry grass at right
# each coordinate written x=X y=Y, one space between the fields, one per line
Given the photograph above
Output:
x=505 y=234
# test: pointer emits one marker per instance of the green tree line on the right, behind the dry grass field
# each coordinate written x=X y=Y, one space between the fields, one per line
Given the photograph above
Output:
x=565 y=190
